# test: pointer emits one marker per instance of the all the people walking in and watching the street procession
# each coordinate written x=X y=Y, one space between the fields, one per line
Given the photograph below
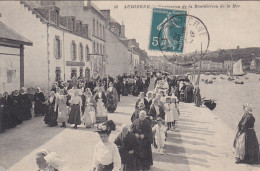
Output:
x=88 y=102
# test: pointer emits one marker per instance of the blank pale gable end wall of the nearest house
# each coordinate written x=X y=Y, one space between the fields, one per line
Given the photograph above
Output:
x=20 y=19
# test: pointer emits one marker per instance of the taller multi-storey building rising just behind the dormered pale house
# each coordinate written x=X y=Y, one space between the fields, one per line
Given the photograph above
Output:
x=95 y=24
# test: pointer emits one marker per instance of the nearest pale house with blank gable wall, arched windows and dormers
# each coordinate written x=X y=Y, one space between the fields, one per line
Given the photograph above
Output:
x=61 y=45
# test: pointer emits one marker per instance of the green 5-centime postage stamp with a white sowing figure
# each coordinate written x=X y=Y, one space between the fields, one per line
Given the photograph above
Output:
x=168 y=30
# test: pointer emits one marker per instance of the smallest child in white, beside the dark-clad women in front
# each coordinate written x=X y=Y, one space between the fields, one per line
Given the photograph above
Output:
x=160 y=131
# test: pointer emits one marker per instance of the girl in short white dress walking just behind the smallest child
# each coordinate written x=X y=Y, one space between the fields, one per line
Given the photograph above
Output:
x=169 y=113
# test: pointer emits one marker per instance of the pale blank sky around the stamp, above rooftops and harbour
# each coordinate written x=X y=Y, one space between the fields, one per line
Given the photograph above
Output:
x=227 y=27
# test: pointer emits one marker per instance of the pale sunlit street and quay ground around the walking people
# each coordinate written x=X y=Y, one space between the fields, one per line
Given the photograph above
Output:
x=196 y=144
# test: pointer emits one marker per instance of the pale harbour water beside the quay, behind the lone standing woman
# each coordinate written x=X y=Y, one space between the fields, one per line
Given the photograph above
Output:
x=230 y=98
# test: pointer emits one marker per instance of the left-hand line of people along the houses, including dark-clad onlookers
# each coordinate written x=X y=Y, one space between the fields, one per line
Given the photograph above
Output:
x=77 y=101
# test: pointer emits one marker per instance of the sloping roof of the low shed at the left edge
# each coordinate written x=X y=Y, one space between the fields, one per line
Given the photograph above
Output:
x=9 y=35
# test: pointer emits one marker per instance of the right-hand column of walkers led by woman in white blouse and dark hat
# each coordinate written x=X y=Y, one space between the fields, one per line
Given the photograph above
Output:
x=155 y=113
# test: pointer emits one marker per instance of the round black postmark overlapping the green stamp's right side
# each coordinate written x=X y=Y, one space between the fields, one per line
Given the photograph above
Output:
x=186 y=37
